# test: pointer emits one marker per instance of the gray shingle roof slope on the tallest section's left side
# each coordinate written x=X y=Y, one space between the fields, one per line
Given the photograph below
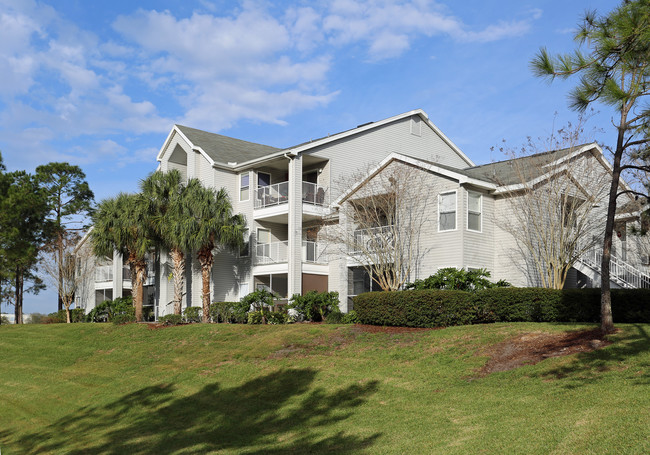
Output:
x=224 y=149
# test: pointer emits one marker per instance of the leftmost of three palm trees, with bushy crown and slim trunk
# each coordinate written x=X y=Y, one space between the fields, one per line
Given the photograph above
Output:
x=123 y=224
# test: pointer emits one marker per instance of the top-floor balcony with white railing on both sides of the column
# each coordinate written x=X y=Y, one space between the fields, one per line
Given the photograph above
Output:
x=272 y=201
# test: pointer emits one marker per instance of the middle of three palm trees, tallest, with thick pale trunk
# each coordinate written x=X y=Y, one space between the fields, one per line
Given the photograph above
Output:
x=171 y=219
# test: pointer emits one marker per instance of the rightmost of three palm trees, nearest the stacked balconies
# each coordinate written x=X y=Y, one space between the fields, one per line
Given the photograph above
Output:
x=212 y=225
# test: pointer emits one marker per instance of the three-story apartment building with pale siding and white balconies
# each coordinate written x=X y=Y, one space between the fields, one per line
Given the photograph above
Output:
x=287 y=195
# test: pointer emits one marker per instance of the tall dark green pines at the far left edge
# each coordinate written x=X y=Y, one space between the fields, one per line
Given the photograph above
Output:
x=41 y=214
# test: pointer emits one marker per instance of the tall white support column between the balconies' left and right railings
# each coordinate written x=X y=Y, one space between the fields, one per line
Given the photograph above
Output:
x=294 y=252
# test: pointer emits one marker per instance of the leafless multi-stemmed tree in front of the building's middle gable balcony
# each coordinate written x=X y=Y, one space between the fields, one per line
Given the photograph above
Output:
x=381 y=219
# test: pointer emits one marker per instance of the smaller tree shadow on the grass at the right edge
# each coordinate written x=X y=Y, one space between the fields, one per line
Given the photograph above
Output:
x=588 y=367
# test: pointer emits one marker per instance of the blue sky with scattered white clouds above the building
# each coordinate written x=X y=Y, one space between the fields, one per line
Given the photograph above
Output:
x=100 y=84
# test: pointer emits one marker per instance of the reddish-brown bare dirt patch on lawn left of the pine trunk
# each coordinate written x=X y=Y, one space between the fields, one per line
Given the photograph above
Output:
x=531 y=348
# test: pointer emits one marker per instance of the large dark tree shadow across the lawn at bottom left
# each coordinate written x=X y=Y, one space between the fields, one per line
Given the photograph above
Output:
x=277 y=413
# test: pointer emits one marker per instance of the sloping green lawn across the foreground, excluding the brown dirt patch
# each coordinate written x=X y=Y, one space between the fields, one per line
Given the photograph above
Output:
x=98 y=388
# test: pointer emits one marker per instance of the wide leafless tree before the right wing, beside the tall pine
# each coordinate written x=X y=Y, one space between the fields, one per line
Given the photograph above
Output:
x=553 y=196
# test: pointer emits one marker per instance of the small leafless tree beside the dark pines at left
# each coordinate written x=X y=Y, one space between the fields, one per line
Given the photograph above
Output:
x=68 y=271
